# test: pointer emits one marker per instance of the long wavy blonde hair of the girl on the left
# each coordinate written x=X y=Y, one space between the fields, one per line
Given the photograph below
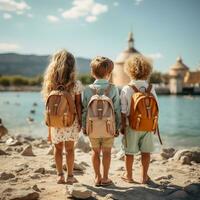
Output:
x=60 y=71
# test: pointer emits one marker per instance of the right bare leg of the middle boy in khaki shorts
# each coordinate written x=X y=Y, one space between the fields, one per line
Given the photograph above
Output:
x=106 y=163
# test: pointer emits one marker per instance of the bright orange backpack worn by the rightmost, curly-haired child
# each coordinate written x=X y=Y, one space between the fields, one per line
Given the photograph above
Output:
x=144 y=111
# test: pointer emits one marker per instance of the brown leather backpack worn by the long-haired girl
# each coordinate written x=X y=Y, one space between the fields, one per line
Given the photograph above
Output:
x=60 y=109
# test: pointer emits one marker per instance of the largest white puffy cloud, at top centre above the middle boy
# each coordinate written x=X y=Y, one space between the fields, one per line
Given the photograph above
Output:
x=87 y=9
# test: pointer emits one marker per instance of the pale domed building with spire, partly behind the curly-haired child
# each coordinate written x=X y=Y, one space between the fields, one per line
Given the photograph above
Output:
x=119 y=77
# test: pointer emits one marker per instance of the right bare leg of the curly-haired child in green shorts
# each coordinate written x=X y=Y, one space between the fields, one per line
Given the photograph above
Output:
x=145 y=166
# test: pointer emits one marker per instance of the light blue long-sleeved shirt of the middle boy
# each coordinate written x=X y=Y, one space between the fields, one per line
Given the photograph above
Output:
x=101 y=85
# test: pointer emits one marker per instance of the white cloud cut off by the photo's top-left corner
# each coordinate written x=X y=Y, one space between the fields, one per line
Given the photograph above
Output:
x=14 y=6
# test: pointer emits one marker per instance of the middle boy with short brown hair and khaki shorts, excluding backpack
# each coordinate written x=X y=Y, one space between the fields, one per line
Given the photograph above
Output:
x=101 y=69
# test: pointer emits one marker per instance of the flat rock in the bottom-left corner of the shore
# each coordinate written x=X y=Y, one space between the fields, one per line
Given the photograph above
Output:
x=21 y=195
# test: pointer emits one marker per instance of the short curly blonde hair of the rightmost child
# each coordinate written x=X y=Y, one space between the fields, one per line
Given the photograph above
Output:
x=138 y=67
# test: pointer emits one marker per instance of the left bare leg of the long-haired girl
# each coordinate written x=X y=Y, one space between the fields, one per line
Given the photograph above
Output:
x=58 y=160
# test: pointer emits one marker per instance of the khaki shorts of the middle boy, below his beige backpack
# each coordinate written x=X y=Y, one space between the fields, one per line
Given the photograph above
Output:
x=102 y=142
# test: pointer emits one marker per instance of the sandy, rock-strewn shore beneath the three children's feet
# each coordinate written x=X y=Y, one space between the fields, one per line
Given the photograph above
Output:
x=175 y=174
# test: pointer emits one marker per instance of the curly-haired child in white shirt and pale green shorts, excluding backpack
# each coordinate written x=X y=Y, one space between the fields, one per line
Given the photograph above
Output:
x=138 y=69
